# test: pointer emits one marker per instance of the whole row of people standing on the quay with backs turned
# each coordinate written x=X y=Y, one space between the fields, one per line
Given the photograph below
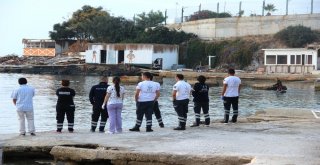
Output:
x=107 y=103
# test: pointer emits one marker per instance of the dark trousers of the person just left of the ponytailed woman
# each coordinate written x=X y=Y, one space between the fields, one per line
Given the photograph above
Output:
x=98 y=112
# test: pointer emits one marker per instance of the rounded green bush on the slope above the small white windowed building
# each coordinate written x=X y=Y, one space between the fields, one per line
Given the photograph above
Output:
x=296 y=36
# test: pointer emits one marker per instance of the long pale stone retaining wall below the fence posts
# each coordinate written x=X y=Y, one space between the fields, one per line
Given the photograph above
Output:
x=219 y=28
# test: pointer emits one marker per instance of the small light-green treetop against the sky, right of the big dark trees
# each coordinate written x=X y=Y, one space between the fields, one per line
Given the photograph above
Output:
x=152 y=19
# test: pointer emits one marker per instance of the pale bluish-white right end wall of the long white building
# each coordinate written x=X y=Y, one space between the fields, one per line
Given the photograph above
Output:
x=168 y=58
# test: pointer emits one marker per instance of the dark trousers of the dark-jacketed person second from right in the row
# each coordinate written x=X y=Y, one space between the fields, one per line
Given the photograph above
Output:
x=205 y=109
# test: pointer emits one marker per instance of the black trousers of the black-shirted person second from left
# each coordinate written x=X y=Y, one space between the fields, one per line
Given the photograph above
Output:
x=63 y=111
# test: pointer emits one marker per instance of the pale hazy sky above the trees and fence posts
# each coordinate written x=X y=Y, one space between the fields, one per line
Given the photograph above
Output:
x=33 y=19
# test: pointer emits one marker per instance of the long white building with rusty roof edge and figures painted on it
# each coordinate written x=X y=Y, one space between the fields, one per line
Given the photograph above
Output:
x=159 y=56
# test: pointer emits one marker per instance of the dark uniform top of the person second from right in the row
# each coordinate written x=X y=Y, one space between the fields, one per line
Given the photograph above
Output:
x=200 y=93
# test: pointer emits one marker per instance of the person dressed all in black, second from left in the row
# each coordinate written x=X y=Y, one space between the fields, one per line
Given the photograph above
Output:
x=65 y=106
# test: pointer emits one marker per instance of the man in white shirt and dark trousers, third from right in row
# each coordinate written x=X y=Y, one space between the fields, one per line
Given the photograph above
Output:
x=180 y=96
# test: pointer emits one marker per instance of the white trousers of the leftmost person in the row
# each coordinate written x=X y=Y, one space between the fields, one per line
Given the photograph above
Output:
x=30 y=118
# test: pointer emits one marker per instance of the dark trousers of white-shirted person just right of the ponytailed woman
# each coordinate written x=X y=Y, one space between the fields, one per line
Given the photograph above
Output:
x=144 y=109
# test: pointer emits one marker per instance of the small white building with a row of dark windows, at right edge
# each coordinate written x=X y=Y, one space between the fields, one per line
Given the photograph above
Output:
x=292 y=60
